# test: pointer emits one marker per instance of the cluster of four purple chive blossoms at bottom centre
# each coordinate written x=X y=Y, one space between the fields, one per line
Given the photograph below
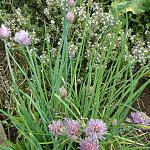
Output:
x=94 y=131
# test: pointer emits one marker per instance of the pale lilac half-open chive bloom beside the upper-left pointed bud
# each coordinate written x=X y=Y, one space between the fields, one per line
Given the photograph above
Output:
x=22 y=37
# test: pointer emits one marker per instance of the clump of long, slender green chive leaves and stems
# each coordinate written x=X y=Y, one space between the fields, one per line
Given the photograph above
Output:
x=106 y=92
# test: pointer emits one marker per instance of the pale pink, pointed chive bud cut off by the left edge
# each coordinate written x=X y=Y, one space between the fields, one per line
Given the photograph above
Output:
x=4 y=32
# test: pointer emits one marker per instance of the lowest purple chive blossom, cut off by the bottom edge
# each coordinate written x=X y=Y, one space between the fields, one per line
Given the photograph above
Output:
x=89 y=144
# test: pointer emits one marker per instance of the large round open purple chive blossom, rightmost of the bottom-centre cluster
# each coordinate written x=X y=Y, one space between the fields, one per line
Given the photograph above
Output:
x=96 y=129
